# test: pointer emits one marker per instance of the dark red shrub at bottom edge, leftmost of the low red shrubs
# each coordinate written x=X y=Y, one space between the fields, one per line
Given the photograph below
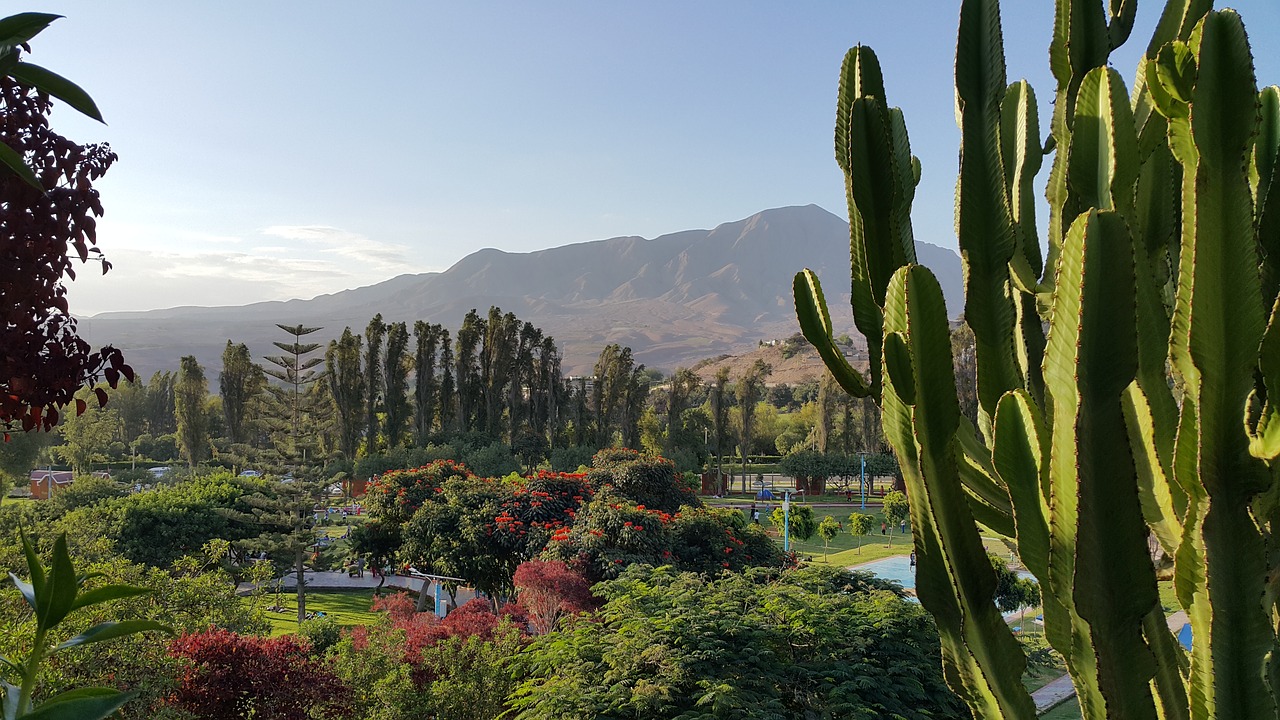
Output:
x=232 y=676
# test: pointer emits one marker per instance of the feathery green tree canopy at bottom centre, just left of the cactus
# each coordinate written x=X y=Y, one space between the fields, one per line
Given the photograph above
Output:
x=810 y=644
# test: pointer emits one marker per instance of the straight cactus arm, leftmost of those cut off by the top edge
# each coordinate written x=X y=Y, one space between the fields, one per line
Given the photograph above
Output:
x=984 y=220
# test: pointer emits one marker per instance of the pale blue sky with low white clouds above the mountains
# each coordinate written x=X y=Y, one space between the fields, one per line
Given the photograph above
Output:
x=292 y=149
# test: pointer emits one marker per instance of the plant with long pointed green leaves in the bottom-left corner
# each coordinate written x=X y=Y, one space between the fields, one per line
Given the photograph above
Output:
x=53 y=594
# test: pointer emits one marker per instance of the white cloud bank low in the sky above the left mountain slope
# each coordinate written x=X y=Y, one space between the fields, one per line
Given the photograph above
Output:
x=295 y=262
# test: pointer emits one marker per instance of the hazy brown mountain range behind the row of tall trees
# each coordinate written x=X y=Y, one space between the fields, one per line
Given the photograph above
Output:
x=674 y=300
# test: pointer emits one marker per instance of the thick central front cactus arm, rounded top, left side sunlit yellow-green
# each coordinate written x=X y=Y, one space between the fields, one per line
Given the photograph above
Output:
x=1099 y=536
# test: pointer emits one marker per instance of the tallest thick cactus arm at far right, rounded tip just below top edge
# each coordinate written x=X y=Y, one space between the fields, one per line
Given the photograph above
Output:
x=1217 y=331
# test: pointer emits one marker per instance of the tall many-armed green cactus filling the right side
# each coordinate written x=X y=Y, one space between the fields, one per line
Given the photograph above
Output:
x=1149 y=412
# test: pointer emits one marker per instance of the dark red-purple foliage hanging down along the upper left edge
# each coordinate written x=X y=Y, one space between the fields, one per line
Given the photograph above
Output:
x=43 y=359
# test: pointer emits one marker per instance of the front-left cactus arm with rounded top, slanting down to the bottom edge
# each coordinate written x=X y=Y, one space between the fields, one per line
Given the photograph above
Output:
x=954 y=580
